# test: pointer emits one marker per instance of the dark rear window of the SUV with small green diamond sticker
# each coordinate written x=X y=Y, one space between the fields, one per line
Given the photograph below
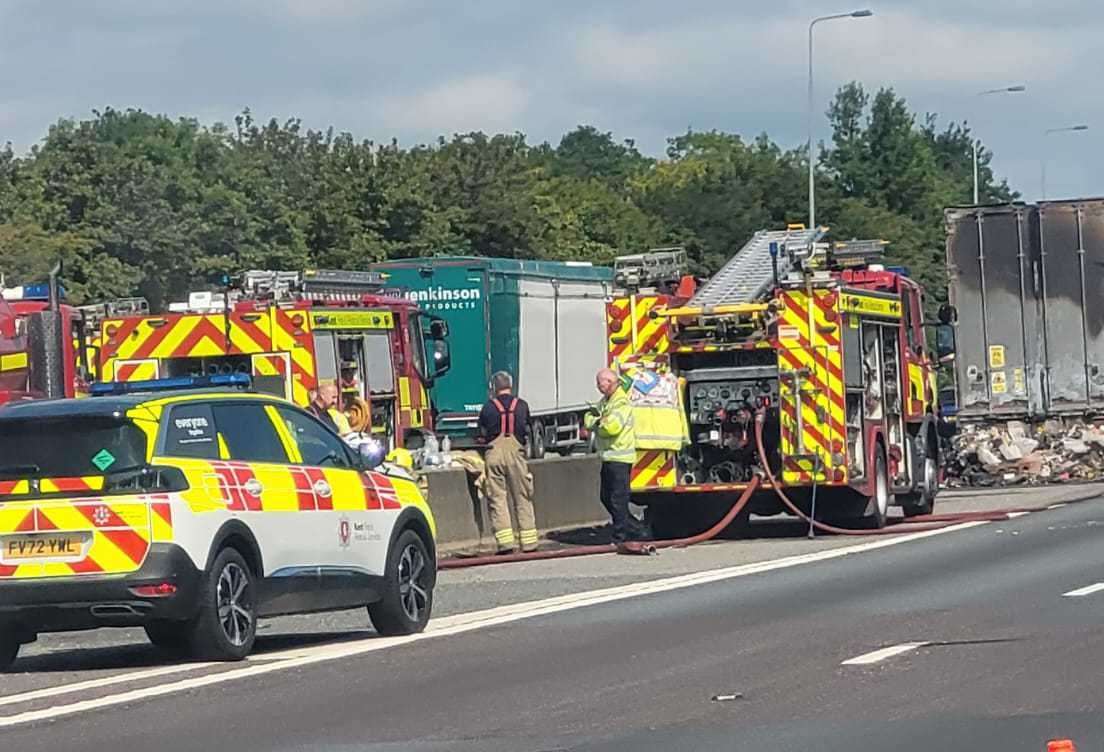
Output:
x=70 y=448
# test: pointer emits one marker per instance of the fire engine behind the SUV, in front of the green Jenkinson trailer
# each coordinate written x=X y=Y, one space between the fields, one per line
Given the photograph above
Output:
x=291 y=332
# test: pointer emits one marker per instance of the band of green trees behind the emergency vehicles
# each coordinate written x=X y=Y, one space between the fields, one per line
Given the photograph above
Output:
x=140 y=204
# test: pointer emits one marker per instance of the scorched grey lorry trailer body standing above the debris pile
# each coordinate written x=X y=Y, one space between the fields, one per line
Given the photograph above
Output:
x=1027 y=282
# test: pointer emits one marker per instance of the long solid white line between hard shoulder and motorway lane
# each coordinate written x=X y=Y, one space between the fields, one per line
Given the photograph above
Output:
x=464 y=623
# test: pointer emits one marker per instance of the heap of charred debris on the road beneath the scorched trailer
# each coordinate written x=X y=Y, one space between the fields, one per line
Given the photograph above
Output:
x=1016 y=453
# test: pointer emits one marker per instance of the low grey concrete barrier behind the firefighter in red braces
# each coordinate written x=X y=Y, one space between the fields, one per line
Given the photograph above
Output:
x=566 y=497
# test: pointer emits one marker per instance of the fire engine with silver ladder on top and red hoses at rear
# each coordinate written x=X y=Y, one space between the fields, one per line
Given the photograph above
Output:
x=820 y=344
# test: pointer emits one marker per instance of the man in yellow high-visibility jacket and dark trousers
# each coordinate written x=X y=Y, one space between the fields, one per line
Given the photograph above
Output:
x=613 y=422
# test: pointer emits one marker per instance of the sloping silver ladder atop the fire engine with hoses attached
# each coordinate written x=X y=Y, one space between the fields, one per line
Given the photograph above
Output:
x=749 y=276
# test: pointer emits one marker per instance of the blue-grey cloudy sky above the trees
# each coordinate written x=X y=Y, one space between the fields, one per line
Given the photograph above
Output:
x=645 y=70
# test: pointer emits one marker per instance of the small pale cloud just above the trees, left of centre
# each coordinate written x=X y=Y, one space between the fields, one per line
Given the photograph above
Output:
x=474 y=103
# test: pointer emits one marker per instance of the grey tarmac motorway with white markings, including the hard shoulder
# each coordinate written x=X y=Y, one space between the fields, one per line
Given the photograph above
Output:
x=988 y=638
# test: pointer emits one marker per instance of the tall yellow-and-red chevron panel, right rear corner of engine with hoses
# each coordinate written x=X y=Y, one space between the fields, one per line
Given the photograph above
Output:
x=812 y=387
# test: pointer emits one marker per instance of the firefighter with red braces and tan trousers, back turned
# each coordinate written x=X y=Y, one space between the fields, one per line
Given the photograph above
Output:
x=504 y=422
